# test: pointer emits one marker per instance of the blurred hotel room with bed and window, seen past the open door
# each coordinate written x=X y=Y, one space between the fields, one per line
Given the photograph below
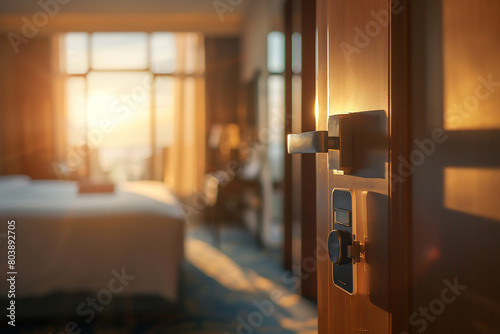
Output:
x=142 y=151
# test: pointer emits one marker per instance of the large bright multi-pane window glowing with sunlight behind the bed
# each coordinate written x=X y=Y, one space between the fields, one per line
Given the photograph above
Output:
x=123 y=93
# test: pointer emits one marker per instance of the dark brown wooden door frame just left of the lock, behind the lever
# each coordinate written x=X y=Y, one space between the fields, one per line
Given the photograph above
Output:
x=300 y=16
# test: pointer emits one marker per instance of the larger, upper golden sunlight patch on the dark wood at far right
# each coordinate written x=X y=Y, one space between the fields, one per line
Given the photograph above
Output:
x=470 y=71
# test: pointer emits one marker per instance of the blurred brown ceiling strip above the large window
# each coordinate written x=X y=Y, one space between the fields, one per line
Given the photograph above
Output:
x=126 y=15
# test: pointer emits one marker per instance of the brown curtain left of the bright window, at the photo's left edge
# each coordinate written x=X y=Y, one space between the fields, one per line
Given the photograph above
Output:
x=27 y=121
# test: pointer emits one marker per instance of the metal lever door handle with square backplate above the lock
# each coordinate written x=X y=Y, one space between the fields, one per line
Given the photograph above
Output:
x=337 y=142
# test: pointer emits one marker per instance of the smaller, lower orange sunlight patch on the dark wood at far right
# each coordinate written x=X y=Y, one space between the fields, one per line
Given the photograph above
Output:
x=464 y=190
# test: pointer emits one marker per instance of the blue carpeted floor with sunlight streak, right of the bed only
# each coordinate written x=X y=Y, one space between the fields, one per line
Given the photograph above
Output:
x=248 y=292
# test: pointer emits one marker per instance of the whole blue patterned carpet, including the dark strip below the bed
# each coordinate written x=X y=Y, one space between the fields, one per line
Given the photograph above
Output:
x=236 y=288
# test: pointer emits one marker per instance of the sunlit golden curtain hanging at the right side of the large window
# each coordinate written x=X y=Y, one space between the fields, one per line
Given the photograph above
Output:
x=185 y=160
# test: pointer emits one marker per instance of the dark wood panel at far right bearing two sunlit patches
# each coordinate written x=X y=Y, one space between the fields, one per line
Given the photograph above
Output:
x=454 y=43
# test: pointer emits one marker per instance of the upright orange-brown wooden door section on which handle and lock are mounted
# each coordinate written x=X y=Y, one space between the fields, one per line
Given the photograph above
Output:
x=354 y=74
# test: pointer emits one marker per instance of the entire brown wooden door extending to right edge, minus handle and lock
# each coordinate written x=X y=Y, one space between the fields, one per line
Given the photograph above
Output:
x=432 y=226
